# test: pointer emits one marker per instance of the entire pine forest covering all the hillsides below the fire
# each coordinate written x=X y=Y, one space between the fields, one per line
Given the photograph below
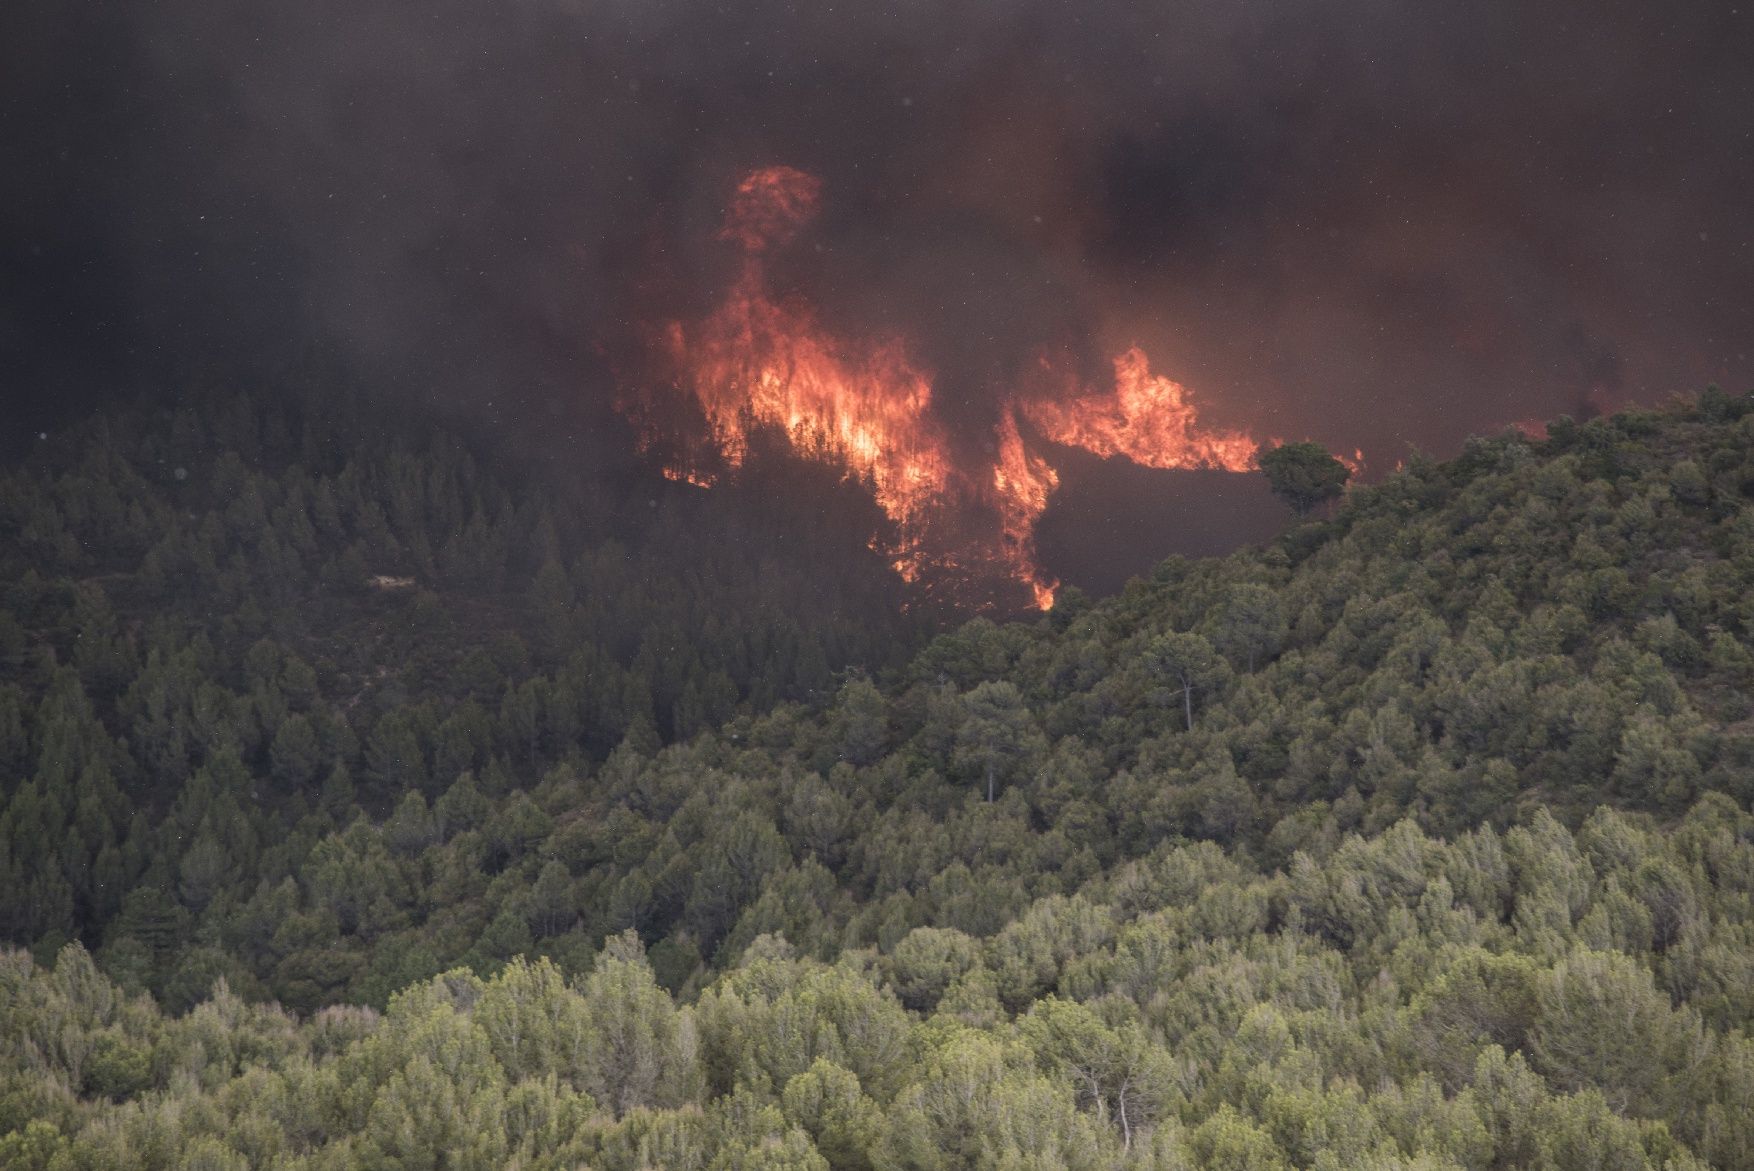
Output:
x=366 y=804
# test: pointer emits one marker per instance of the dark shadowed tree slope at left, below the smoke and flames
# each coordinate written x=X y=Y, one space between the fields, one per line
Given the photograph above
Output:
x=227 y=630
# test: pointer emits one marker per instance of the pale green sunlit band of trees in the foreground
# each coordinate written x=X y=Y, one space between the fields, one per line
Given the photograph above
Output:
x=1536 y=998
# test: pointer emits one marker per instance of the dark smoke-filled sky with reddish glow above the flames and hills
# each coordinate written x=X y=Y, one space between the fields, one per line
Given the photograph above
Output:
x=1358 y=222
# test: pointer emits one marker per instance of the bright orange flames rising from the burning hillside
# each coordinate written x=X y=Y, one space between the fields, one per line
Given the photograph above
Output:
x=764 y=360
